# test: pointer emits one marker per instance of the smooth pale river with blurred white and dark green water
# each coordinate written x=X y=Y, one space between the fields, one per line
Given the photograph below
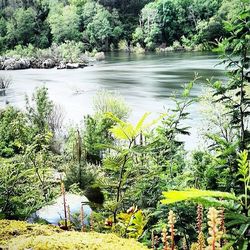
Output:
x=146 y=81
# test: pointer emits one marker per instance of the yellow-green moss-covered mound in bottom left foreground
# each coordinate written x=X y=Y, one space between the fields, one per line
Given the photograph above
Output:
x=21 y=235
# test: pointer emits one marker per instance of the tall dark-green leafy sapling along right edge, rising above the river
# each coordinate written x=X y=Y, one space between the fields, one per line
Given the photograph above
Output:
x=233 y=93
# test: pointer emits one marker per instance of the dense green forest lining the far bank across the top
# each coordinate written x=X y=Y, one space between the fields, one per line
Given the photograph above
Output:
x=122 y=24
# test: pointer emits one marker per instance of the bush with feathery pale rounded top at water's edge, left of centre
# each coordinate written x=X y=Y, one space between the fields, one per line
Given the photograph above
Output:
x=96 y=128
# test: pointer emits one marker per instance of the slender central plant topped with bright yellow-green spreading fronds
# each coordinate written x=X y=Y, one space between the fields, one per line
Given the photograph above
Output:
x=120 y=163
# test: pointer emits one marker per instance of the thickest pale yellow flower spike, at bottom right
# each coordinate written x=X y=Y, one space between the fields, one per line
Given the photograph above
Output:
x=213 y=230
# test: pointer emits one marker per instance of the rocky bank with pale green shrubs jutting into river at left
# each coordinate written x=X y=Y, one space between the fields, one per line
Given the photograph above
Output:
x=69 y=55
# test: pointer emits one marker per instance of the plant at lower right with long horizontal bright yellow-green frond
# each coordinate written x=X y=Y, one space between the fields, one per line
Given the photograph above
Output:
x=232 y=203
